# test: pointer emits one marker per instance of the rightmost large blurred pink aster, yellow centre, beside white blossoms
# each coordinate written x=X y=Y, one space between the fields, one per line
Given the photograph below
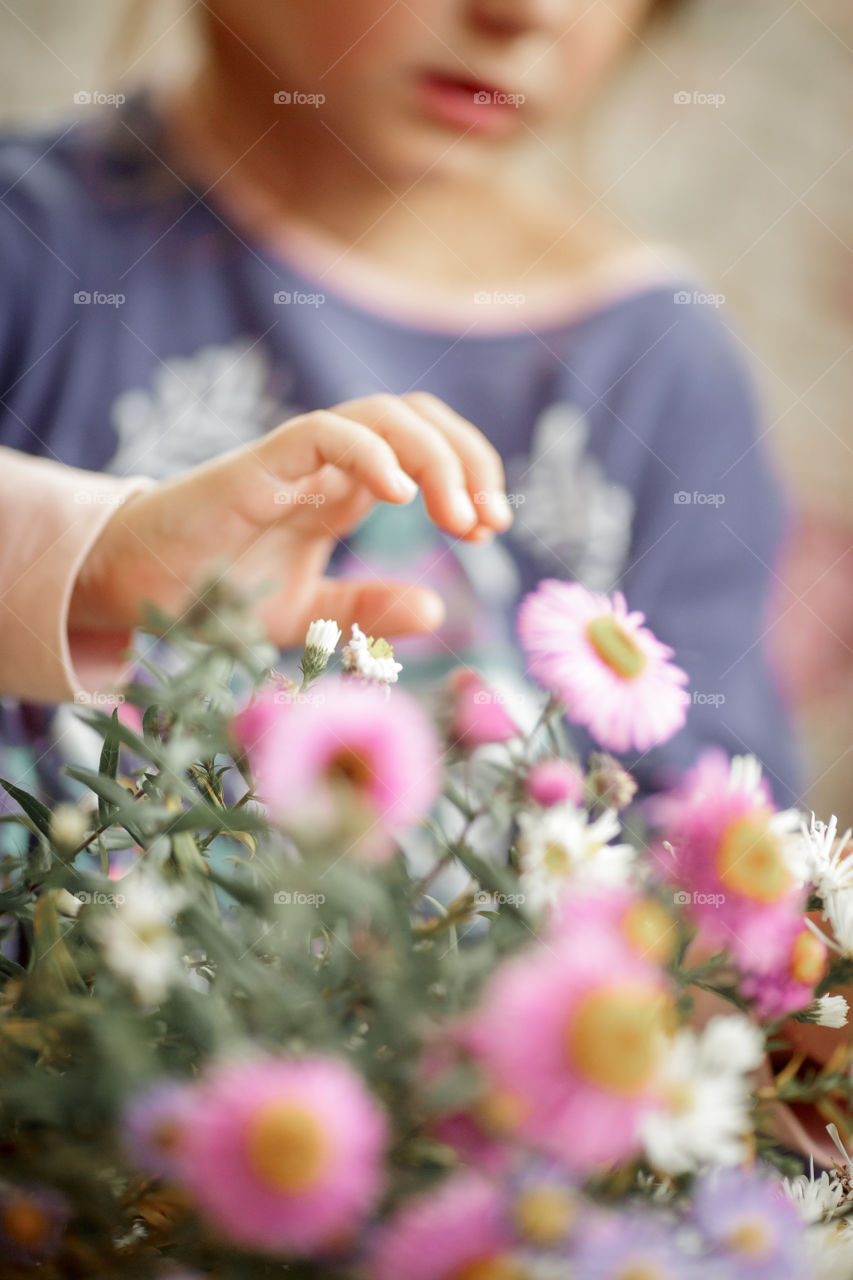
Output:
x=731 y=860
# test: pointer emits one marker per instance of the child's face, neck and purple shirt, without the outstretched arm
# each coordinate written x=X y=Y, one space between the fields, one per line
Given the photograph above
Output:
x=335 y=208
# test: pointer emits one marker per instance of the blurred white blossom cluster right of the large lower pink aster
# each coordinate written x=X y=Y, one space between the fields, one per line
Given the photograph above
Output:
x=705 y=1113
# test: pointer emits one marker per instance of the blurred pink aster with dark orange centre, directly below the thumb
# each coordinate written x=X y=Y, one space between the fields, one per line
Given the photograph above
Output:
x=343 y=757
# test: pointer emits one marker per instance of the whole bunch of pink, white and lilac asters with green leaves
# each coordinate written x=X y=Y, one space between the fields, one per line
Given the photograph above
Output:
x=311 y=982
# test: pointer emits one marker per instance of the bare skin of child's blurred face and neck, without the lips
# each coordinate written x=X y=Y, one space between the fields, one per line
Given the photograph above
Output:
x=409 y=180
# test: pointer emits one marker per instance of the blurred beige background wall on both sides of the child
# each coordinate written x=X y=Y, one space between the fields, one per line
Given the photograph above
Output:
x=727 y=134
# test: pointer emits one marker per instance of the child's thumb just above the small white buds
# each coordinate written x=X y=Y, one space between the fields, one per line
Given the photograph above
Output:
x=380 y=609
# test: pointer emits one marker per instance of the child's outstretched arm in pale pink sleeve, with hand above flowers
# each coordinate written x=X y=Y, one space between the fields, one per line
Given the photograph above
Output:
x=84 y=566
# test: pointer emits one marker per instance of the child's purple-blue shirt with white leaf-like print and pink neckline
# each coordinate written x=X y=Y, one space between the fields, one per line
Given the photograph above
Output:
x=143 y=333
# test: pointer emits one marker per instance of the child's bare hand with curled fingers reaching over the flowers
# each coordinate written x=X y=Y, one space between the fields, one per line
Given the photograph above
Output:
x=273 y=511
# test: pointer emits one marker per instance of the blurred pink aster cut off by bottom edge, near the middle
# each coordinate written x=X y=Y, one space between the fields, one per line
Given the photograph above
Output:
x=459 y=1231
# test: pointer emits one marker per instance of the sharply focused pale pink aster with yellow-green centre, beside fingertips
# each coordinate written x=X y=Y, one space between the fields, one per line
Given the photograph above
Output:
x=612 y=674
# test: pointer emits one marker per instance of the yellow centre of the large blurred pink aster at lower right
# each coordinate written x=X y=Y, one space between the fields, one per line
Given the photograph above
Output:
x=614 y=1040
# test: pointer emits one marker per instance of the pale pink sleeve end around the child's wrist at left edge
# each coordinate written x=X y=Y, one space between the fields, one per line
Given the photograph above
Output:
x=51 y=518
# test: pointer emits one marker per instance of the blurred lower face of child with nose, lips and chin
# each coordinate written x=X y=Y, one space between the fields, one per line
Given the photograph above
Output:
x=425 y=84
